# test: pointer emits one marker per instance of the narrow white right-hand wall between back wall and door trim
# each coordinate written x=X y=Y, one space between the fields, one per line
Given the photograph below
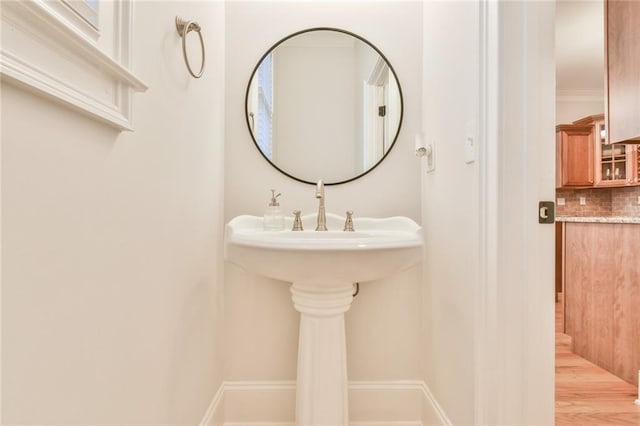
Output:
x=450 y=203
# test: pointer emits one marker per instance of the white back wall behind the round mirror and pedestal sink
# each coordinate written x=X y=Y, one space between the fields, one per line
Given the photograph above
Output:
x=384 y=324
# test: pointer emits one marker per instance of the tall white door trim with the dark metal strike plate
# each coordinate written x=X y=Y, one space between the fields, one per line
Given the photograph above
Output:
x=514 y=365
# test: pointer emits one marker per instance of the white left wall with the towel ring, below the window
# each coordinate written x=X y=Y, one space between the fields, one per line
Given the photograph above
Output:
x=111 y=244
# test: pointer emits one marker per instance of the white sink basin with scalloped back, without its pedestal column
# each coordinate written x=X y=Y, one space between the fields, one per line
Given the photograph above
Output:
x=376 y=249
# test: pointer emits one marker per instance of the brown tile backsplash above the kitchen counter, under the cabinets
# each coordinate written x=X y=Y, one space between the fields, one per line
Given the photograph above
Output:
x=599 y=202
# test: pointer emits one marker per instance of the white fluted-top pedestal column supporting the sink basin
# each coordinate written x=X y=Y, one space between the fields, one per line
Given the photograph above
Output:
x=321 y=392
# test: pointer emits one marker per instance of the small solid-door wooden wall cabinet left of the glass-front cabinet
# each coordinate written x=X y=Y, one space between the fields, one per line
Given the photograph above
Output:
x=574 y=156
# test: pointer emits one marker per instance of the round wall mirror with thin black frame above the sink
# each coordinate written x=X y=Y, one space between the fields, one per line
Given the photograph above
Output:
x=324 y=104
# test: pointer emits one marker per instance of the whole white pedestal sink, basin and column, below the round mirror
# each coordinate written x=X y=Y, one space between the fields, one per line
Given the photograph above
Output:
x=322 y=268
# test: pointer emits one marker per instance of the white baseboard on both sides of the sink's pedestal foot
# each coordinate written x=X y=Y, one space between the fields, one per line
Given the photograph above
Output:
x=272 y=403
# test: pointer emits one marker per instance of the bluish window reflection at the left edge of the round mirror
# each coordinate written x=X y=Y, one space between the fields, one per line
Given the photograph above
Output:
x=260 y=100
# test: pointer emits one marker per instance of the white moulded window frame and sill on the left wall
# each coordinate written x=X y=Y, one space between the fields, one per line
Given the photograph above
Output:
x=43 y=51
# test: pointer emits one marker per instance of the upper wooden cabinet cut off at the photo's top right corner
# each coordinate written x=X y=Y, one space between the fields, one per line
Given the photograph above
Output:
x=622 y=64
